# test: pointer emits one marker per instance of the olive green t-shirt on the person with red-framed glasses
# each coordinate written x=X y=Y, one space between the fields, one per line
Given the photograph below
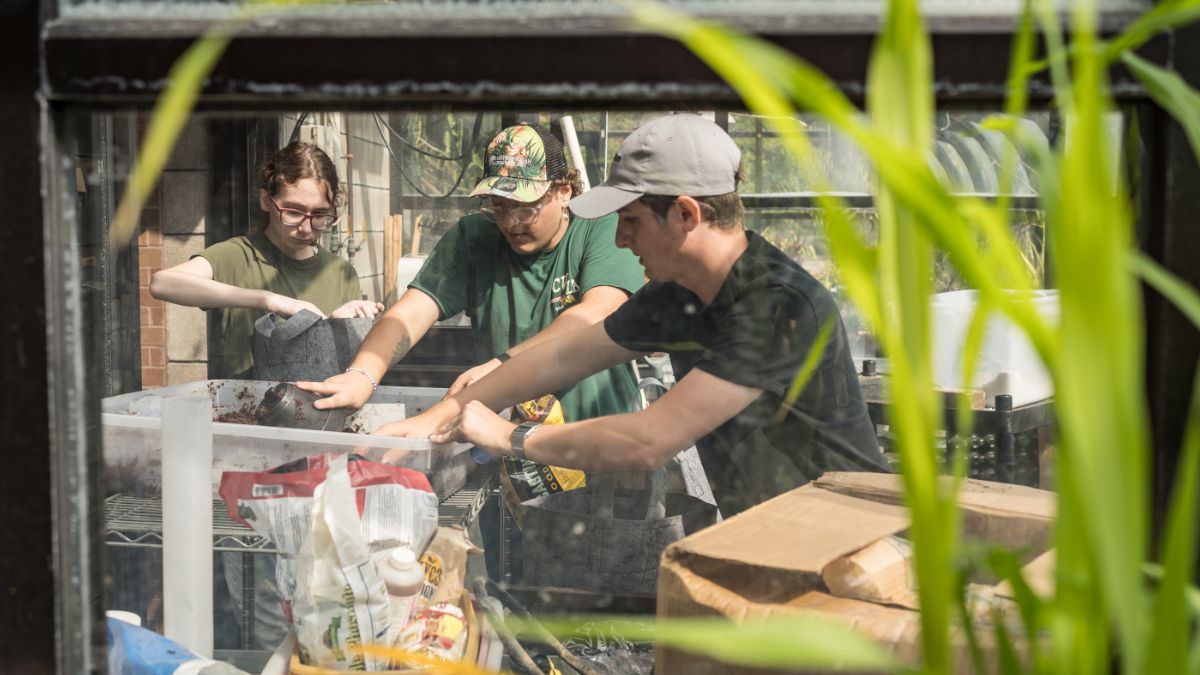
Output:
x=254 y=262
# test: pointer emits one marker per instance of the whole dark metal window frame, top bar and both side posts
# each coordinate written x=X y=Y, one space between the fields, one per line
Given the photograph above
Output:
x=64 y=65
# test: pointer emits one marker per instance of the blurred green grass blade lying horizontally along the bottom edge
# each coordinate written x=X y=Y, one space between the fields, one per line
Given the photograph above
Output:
x=807 y=642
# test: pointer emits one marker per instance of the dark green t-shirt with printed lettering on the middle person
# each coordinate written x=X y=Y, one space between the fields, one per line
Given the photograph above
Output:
x=470 y=271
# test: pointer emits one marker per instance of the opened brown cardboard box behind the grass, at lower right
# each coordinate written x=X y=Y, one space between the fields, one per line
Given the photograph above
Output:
x=767 y=561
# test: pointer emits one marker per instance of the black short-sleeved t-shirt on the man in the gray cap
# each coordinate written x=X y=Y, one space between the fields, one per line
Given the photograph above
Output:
x=758 y=333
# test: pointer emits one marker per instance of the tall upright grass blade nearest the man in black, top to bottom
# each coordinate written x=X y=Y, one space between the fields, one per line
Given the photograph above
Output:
x=901 y=109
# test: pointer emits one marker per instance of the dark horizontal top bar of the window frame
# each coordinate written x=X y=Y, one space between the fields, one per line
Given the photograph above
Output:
x=429 y=63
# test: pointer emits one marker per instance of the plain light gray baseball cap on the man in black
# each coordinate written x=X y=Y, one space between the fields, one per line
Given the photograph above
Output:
x=675 y=156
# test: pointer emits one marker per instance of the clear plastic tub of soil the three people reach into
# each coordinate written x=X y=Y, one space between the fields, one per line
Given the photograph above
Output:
x=133 y=434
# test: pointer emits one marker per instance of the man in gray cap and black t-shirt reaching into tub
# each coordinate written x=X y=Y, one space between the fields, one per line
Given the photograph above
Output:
x=737 y=316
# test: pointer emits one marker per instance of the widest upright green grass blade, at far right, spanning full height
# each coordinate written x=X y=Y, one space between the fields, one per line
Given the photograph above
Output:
x=1101 y=410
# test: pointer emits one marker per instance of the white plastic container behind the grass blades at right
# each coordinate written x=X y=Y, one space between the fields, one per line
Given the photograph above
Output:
x=1007 y=363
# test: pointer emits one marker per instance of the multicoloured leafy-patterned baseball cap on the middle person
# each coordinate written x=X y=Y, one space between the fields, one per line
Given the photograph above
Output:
x=521 y=163
